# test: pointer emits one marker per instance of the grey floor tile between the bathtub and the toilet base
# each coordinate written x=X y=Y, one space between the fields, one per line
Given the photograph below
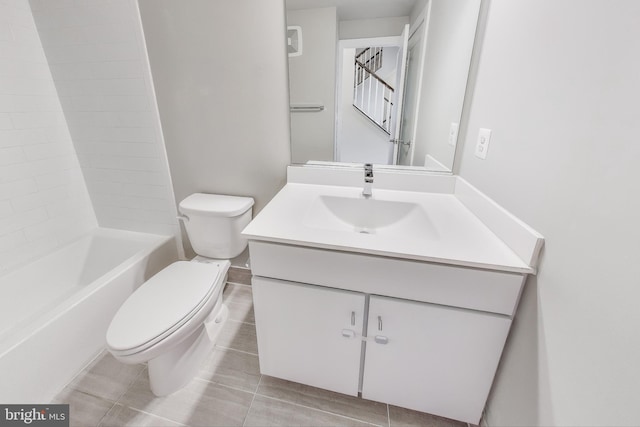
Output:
x=106 y=377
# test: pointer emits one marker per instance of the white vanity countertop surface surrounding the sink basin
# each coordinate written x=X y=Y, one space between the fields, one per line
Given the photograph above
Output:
x=453 y=234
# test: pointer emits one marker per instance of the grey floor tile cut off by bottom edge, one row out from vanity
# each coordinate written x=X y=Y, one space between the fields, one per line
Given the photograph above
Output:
x=266 y=412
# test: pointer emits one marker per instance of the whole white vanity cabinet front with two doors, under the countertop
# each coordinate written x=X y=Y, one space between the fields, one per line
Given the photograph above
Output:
x=414 y=334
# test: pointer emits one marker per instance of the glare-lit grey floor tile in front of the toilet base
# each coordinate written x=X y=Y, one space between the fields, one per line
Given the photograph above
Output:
x=199 y=403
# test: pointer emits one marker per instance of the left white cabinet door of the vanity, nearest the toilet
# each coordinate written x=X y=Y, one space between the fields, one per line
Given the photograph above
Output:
x=309 y=334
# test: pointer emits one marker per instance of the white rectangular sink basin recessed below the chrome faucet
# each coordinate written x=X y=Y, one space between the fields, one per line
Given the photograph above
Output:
x=369 y=216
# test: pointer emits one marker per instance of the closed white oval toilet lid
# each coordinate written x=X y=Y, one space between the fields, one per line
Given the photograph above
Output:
x=170 y=297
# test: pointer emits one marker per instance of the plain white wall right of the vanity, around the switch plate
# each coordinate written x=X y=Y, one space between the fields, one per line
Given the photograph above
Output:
x=558 y=83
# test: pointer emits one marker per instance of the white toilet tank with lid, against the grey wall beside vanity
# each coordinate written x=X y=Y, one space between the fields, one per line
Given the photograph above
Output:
x=214 y=223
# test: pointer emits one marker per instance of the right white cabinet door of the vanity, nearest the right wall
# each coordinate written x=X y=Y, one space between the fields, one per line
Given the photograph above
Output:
x=432 y=358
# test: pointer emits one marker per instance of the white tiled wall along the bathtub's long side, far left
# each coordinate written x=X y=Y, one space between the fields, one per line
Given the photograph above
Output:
x=43 y=199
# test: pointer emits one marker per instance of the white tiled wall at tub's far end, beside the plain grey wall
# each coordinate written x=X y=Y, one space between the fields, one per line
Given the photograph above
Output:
x=96 y=53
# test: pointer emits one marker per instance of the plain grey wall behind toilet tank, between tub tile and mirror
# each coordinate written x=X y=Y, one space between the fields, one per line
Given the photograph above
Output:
x=220 y=73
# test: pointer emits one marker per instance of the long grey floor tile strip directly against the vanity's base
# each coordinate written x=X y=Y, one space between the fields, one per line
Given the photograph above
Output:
x=348 y=406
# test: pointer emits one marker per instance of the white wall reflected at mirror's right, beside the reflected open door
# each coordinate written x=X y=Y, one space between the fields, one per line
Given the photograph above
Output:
x=450 y=34
